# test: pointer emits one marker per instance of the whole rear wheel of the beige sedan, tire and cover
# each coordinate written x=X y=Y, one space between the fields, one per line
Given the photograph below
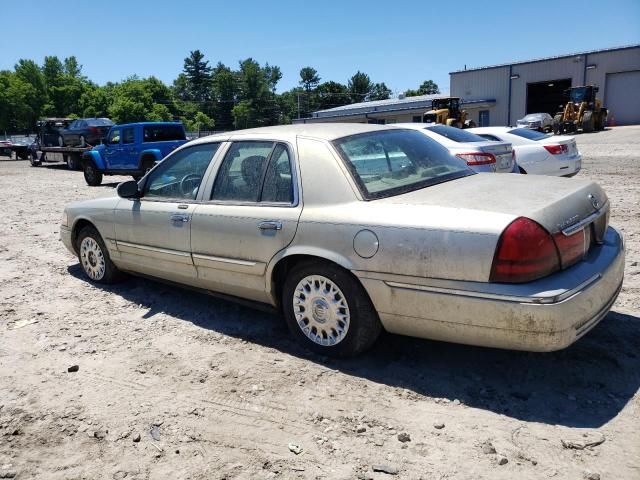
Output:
x=328 y=310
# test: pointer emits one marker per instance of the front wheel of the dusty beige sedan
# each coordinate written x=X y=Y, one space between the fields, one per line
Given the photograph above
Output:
x=91 y=263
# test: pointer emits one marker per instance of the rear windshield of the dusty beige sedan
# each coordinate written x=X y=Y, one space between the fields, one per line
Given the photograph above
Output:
x=387 y=163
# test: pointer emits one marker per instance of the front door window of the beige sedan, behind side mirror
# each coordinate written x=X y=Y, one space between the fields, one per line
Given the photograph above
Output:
x=179 y=175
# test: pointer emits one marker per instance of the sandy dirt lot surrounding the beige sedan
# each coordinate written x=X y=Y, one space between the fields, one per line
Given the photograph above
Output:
x=173 y=384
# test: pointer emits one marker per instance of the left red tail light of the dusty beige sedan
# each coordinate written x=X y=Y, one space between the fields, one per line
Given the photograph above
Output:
x=525 y=252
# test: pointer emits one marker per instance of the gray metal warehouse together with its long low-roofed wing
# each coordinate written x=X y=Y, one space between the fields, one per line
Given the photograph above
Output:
x=501 y=94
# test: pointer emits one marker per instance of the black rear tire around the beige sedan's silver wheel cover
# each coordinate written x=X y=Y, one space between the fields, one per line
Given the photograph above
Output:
x=364 y=325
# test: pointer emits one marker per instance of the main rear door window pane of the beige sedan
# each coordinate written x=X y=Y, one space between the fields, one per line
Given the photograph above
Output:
x=242 y=171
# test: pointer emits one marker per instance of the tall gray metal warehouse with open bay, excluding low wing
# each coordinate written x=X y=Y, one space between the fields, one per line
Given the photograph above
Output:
x=538 y=85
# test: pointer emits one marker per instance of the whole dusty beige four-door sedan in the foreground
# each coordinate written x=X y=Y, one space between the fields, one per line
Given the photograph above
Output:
x=352 y=228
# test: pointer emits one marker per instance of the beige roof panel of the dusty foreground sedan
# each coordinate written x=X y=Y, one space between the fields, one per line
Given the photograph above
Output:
x=321 y=131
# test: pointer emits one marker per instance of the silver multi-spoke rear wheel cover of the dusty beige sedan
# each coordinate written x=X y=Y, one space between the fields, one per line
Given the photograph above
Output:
x=321 y=310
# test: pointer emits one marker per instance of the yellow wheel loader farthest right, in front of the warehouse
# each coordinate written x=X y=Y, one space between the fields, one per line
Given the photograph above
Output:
x=582 y=112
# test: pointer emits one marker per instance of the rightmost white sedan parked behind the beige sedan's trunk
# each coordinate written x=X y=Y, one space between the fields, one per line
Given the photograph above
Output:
x=537 y=153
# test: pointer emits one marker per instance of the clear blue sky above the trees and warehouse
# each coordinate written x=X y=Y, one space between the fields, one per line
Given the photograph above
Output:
x=400 y=44
